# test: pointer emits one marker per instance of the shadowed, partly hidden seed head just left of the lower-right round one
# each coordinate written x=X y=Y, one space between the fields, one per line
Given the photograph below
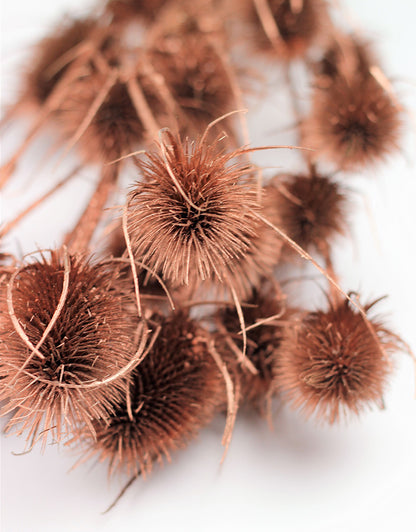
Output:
x=267 y=305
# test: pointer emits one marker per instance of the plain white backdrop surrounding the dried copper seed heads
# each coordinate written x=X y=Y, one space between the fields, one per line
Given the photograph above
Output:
x=358 y=476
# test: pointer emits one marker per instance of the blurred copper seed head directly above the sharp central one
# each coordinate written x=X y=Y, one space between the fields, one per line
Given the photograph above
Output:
x=197 y=81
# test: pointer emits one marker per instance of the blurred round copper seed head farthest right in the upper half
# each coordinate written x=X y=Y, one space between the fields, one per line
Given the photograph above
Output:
x=353 y=125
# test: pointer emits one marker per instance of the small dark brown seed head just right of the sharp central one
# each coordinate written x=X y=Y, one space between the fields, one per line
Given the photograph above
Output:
x=310 y=209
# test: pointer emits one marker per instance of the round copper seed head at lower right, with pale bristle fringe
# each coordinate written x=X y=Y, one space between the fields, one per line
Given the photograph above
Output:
x=335 y=362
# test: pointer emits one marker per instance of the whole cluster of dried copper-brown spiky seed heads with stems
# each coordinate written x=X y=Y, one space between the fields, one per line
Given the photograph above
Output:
x=109 y=354
